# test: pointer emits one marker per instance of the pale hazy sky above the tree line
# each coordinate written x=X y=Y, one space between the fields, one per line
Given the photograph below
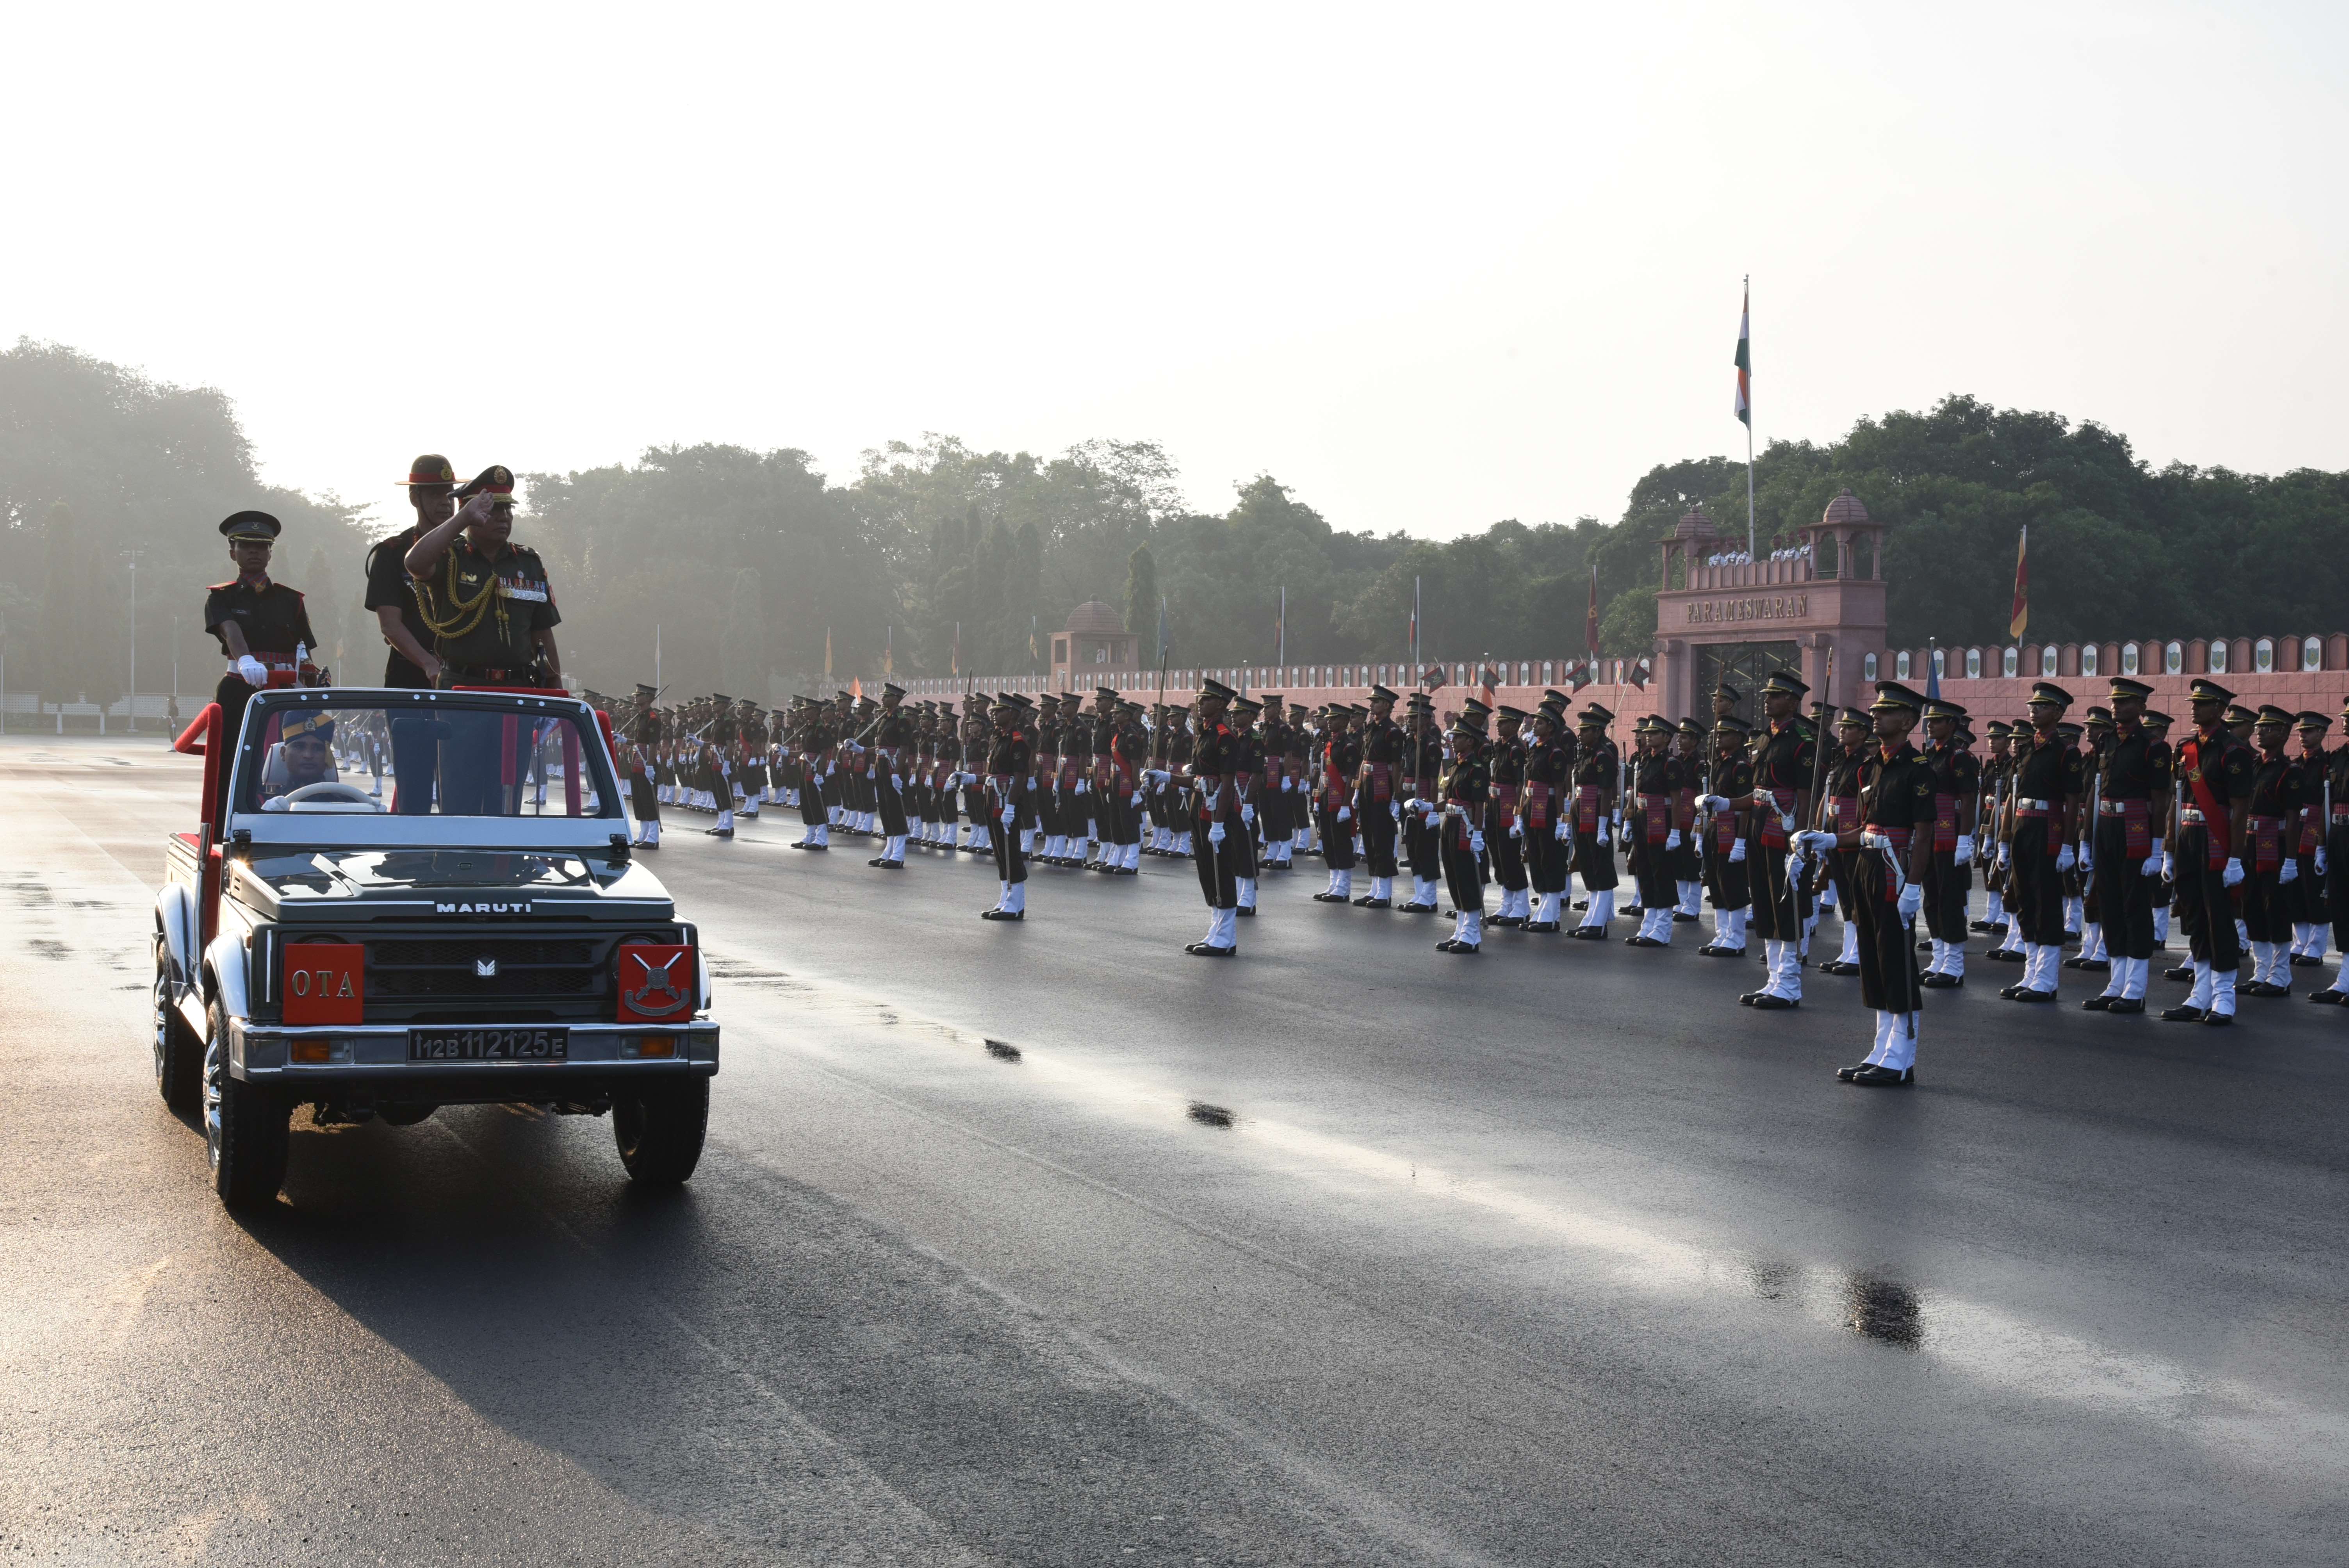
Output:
x=1429 y=266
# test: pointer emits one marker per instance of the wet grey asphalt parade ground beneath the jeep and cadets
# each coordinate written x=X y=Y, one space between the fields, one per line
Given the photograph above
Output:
x=1051 y=1245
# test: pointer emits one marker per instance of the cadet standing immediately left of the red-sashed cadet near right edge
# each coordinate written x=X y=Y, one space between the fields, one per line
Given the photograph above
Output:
x=2134 y=788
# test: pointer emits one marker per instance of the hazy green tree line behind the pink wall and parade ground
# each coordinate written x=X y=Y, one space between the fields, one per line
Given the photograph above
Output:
x=751 y=565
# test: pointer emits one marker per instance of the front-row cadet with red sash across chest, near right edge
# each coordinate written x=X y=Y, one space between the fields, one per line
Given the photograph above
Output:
x=2212 y=820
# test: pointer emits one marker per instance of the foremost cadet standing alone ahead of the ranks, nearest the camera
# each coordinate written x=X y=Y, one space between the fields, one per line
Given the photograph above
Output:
x=1894 y=849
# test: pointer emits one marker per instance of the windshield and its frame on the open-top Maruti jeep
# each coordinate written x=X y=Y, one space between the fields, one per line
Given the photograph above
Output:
x=593 y=818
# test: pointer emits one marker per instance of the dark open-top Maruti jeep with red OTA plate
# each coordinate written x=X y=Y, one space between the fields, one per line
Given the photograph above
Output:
x=469 y=933
